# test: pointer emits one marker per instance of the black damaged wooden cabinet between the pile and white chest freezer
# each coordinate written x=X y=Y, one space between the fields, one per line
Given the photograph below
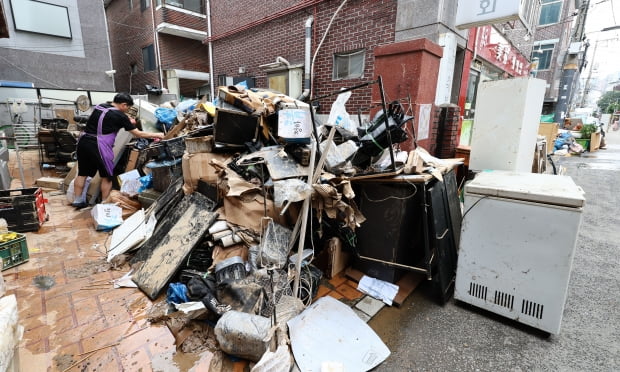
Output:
x=413 y=224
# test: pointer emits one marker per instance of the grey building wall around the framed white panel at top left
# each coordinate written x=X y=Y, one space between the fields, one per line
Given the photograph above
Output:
x=54 y=62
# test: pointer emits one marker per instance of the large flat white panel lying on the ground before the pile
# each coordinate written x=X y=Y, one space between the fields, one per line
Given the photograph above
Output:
x=329 y=331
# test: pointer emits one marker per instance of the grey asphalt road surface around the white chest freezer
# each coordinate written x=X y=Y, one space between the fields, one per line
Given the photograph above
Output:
x=424 y=336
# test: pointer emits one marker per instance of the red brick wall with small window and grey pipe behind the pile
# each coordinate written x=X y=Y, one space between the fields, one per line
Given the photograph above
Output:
x=361 y=24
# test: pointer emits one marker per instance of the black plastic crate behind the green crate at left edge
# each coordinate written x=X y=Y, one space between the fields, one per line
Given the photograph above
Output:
x=23 y=209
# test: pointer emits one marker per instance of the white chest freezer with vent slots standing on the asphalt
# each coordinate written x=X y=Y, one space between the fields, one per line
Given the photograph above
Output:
x=517 y=245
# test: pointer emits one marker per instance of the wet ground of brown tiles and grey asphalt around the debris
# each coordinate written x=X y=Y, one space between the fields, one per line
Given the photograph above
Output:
x=74 y=319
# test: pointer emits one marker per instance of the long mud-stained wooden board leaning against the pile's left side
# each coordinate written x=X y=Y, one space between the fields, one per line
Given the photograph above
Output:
x=174 y=246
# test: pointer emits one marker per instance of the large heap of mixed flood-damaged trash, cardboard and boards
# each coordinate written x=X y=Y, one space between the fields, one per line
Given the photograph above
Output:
x=239 y=199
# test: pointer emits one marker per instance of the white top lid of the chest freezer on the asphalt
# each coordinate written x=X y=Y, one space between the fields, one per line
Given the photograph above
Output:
x=534 y=187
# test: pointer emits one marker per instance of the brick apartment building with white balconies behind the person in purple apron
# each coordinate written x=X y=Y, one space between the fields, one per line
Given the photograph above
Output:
x=158 y=44
